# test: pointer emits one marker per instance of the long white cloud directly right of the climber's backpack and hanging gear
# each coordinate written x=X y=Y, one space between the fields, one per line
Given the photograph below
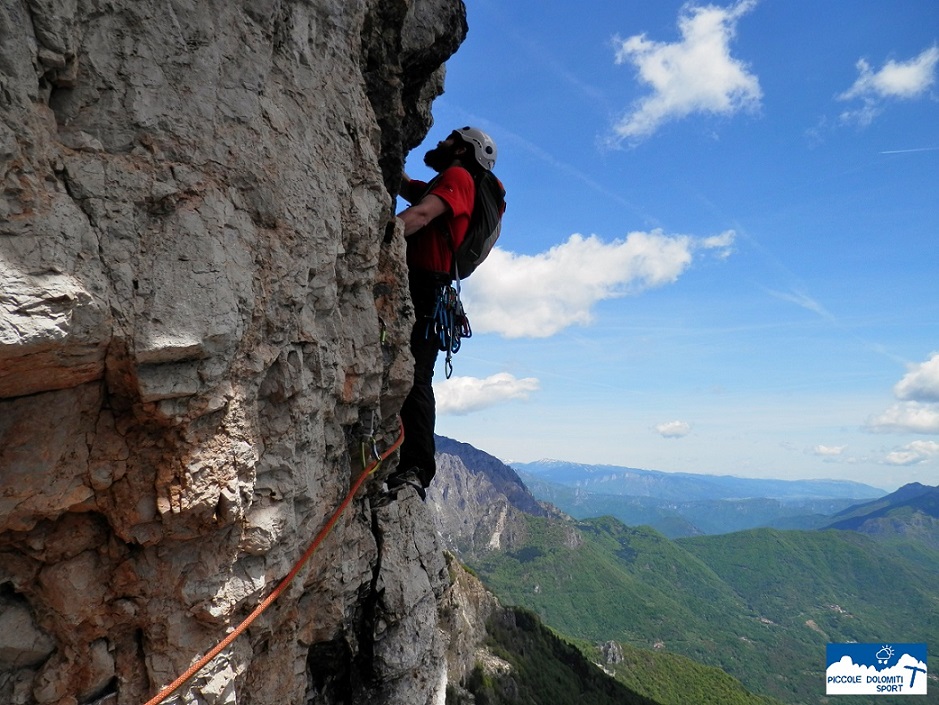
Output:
x=537 y=296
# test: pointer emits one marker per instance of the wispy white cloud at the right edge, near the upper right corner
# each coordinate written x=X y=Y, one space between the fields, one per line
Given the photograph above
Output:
x=899 y=80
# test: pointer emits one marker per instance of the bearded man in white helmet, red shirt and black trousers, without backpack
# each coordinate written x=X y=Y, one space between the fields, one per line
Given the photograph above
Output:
x=439 y=209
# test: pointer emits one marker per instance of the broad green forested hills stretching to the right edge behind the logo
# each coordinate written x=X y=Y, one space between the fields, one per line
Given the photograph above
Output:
x=759 y=604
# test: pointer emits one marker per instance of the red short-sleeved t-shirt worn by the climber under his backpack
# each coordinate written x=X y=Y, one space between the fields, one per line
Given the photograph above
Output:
x=429 y=248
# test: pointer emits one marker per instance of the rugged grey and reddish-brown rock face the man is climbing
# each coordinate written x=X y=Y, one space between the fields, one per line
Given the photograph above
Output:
x=203 y=332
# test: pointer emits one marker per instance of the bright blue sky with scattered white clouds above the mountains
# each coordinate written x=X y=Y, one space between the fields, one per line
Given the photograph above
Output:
x=720 y=249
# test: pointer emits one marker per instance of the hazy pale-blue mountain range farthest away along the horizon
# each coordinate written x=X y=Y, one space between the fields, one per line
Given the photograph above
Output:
x=685 y=504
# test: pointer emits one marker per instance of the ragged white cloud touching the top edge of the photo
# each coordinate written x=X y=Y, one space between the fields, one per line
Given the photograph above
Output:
x=694 y=75
